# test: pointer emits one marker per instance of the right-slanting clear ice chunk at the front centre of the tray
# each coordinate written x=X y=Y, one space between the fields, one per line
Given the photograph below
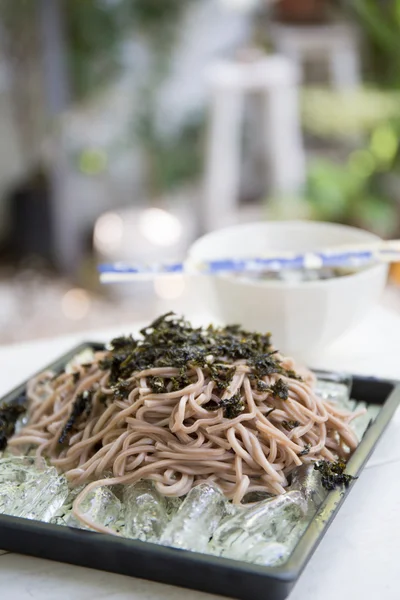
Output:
x=197 y=518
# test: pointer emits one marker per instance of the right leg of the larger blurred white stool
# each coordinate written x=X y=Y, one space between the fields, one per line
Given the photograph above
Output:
x=282 y=124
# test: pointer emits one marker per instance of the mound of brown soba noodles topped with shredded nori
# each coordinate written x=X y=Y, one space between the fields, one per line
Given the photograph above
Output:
x=182 y=406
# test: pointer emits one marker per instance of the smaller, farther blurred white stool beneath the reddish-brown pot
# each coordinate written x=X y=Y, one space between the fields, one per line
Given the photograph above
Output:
x=338 y=43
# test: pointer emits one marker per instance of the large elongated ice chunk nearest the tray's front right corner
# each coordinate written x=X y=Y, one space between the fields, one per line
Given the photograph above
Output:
x=272 y=520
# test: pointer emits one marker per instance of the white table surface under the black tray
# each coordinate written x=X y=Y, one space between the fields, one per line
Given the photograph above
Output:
x=359 y=555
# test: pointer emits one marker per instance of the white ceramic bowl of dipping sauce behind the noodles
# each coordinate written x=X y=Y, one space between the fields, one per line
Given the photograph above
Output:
x=303 y=317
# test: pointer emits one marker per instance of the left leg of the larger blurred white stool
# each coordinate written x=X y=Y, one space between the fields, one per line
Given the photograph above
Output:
x=223 y=158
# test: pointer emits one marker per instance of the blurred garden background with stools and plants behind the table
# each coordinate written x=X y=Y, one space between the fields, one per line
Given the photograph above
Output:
x=130 y=127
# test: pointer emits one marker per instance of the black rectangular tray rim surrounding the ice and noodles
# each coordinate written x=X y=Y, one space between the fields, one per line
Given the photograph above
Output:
x=285 y=575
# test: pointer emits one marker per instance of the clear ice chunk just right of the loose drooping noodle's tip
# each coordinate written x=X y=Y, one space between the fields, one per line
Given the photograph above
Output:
x=146 y=511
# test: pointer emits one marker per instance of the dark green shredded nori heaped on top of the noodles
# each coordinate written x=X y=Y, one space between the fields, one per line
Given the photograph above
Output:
x=170 y=341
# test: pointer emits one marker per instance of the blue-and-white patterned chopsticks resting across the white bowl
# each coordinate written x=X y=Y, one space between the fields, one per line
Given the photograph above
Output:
x=351 y=256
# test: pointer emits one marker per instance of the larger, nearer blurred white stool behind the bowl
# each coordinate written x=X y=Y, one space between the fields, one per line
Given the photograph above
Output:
x=276 y=78
